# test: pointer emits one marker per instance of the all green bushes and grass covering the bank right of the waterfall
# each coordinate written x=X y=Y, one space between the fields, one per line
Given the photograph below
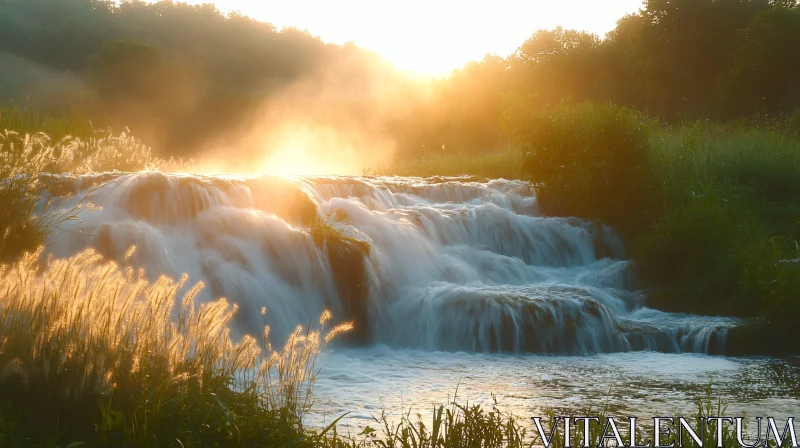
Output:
x=709 y=210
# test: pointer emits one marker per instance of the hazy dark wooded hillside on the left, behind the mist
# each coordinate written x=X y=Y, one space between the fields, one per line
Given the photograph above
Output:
x=165 y=69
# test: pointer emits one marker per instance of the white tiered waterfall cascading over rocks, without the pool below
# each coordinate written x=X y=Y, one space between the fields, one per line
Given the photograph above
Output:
x=451 y=264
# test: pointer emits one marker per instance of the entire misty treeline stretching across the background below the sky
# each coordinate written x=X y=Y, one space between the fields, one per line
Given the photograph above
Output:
x=182 y=76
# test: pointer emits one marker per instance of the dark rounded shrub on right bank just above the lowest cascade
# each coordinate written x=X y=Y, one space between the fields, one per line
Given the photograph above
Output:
x=698 y=256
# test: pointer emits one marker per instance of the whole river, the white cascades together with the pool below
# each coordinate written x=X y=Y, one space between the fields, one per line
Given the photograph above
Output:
x=451 y=283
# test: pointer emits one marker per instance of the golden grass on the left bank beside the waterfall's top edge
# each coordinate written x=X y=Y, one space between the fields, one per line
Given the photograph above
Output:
x=25 y=156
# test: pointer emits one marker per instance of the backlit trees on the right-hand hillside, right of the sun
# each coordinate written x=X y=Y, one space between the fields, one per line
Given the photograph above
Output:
x=678 y=60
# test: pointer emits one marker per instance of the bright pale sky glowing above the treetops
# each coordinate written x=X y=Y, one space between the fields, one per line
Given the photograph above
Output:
x=433 y=36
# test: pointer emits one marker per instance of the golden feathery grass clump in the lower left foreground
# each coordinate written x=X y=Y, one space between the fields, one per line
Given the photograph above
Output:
x=94 y=353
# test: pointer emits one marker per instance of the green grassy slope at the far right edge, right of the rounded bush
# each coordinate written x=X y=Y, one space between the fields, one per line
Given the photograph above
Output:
x=728 y=220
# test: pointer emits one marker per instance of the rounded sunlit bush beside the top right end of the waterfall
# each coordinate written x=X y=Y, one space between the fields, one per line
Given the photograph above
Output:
x=586 y=160
